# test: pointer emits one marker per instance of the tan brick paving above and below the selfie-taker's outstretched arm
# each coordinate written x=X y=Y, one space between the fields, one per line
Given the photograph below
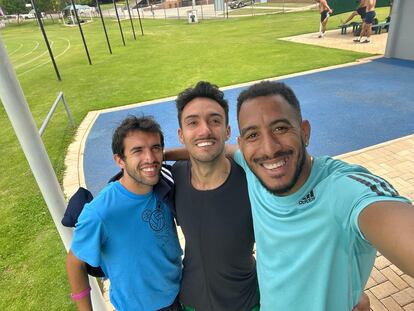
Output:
x=388 y=288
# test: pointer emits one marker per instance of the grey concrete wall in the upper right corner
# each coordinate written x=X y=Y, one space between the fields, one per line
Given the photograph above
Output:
x=400 y=42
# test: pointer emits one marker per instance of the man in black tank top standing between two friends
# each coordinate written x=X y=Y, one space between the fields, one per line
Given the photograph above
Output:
x=213 y=209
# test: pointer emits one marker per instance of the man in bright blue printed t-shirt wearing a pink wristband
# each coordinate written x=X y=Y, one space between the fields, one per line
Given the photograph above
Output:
x=128 y=229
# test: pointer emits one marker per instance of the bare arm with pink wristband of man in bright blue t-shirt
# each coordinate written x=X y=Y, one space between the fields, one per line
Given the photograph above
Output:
x=78 y=279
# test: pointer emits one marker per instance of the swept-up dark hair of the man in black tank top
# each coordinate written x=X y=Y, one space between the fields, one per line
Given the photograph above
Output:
x=202 y=89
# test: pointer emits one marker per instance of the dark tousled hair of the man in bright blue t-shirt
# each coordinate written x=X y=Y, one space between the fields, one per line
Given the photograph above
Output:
x=145 y=124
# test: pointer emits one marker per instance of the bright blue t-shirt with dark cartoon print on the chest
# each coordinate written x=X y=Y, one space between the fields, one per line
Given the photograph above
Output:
x=134 y=239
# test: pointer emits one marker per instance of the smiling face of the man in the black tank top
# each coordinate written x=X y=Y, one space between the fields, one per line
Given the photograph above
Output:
x=203 y=129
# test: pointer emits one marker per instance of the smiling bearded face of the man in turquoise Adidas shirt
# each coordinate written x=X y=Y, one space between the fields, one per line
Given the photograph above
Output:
x=272 y=140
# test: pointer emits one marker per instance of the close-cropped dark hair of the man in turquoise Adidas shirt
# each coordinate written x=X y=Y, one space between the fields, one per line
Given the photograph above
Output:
x=268 y=88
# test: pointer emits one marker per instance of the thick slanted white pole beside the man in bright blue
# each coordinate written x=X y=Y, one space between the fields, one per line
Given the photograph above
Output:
x=14 y=102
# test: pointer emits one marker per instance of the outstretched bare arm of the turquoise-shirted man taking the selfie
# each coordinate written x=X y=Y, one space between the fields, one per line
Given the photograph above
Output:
x=389 y=226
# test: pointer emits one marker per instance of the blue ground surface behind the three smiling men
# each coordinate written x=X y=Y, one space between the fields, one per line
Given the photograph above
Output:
x=349 y=108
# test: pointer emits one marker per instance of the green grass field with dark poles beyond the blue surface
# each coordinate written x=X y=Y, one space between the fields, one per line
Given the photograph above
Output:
x=170 y=57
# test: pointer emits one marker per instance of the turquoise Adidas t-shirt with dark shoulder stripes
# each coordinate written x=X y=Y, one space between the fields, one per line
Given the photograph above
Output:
x=311 y=254
